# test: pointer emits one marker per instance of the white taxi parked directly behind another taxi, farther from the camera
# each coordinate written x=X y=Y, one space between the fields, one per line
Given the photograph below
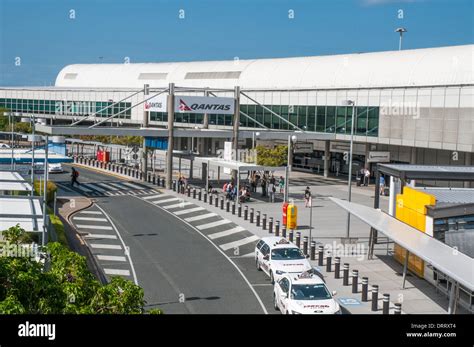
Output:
x=276 y=256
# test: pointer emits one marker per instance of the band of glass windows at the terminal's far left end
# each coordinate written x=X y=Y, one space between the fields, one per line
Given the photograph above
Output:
x=62 y=107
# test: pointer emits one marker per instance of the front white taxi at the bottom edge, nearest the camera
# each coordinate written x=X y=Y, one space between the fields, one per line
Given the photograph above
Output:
x=304 y=294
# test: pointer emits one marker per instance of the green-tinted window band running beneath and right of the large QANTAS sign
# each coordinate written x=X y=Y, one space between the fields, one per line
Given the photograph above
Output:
x=328 y=119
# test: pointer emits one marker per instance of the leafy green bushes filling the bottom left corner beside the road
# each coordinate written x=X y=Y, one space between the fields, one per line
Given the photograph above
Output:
x=63 y=285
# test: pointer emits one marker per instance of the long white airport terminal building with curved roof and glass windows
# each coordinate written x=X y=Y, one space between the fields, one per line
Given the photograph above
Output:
x=412 y=106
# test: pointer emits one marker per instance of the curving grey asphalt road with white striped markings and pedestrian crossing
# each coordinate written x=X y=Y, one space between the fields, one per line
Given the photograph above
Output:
x=180 y=270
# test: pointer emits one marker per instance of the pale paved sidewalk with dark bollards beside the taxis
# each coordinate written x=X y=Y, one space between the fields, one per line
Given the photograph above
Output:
x=418 y=296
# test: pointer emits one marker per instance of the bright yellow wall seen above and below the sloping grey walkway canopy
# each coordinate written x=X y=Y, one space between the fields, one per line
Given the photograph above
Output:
x=411 y=209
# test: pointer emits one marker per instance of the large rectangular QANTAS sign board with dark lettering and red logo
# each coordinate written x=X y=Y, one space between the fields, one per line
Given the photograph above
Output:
x=204 y=104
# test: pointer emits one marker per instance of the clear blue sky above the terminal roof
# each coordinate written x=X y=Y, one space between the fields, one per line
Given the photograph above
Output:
x=44 y=37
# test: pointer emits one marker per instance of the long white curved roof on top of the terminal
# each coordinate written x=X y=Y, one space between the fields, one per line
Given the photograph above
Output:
x=418 y=67
